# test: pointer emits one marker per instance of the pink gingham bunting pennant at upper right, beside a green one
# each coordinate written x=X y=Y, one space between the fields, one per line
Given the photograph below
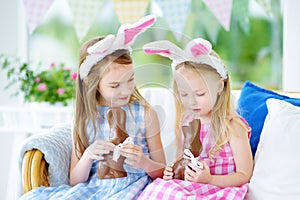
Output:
x=222 y=10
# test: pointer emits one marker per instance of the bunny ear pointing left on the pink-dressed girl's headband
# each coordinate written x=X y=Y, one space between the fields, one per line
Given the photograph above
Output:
x=164 y=48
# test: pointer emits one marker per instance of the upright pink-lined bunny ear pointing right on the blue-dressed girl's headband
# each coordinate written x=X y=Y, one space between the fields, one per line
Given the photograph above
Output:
x=129 y=32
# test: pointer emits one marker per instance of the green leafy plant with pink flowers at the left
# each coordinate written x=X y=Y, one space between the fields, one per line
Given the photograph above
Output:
x=54 y=84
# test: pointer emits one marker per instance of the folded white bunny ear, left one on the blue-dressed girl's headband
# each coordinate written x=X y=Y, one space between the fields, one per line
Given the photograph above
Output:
x=101 y=46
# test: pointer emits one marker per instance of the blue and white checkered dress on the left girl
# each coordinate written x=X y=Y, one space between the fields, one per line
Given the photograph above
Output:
x=119 y=188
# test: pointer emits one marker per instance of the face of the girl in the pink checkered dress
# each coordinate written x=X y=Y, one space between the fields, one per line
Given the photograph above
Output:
x=197 y=94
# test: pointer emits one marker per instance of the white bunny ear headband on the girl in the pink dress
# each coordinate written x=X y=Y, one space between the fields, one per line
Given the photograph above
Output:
x=197 y=50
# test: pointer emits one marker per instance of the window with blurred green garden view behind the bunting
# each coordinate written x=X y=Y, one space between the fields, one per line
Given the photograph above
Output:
x=252 y=50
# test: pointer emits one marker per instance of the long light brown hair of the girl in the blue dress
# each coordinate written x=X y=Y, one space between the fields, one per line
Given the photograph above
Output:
x=88 y=96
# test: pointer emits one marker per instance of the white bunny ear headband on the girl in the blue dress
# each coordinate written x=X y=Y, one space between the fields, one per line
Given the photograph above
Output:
x=111 y=43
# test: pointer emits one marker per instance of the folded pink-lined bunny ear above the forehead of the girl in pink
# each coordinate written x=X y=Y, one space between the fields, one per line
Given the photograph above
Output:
x=198 y=47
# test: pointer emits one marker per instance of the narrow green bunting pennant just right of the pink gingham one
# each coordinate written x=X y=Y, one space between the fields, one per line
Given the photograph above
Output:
x=240 y=13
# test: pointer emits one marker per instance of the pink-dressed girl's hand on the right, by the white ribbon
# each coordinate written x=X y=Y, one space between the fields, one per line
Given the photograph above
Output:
x=195 y=174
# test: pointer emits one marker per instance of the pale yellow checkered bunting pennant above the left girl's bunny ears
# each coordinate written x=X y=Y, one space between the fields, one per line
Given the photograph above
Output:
x=130 y=11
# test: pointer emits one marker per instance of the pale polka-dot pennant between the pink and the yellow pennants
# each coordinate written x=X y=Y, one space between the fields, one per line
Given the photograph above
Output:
x=83 y=14
